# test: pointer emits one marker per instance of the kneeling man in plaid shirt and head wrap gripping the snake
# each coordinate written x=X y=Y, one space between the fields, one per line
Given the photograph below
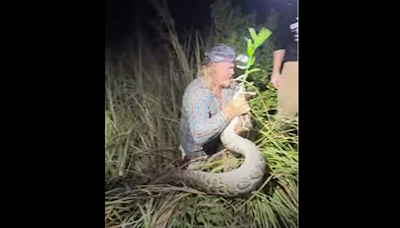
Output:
x=207 y=106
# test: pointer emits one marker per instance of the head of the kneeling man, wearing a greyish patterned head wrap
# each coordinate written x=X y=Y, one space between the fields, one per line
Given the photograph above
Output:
x=219 y=62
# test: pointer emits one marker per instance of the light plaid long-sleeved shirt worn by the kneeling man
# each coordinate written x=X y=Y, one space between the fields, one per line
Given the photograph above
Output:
x=202 y=119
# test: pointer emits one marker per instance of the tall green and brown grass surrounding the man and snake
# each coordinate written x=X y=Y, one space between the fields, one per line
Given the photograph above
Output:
x=142 y=110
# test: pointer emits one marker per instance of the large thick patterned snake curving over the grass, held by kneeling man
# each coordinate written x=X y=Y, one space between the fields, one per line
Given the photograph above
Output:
x=234 y=183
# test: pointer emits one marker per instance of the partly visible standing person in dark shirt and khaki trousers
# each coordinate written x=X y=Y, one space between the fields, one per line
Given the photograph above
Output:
x=285 y=65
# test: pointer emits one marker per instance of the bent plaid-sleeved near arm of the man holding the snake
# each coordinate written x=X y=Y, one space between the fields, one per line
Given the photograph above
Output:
x=202 y=127
